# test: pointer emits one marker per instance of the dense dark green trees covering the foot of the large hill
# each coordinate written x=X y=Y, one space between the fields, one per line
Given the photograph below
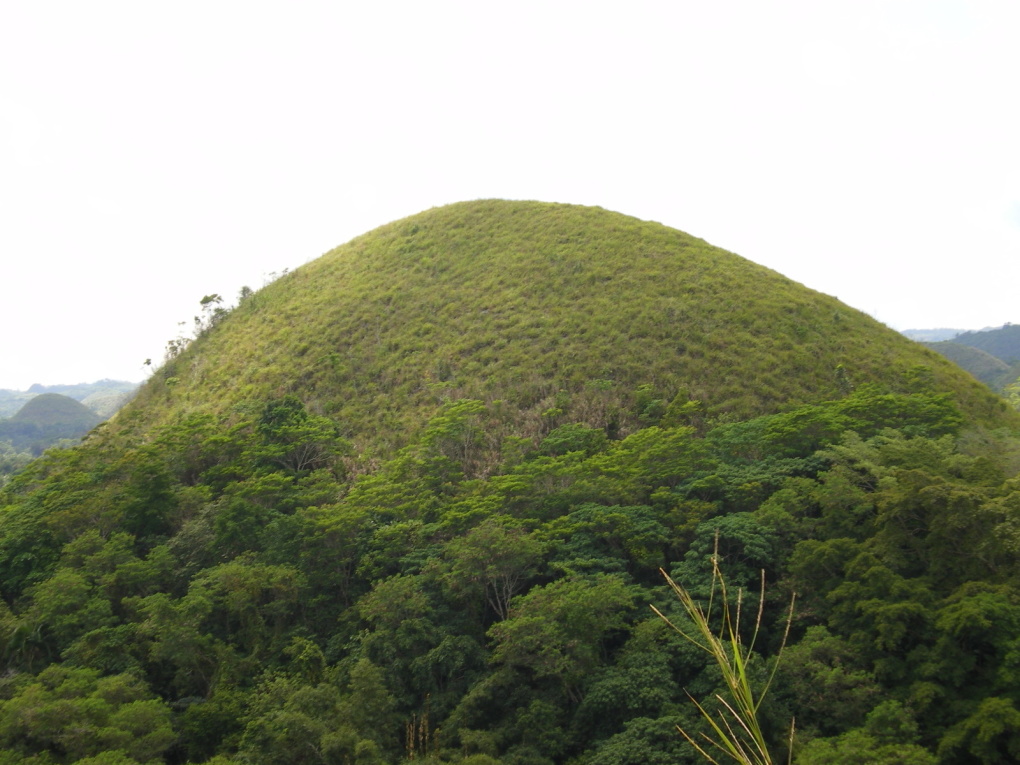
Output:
x=498 y=614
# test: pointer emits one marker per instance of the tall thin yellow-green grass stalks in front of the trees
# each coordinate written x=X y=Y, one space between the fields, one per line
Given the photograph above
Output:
x=738 y=733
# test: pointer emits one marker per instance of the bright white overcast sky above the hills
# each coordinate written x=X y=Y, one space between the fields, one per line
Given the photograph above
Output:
x=156 y=152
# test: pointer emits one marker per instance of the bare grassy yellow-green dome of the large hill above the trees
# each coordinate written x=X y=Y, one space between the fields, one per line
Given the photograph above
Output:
x=548 y=308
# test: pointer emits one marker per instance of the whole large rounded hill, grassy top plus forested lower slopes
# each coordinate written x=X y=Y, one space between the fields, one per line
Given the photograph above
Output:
x=386 y=542
